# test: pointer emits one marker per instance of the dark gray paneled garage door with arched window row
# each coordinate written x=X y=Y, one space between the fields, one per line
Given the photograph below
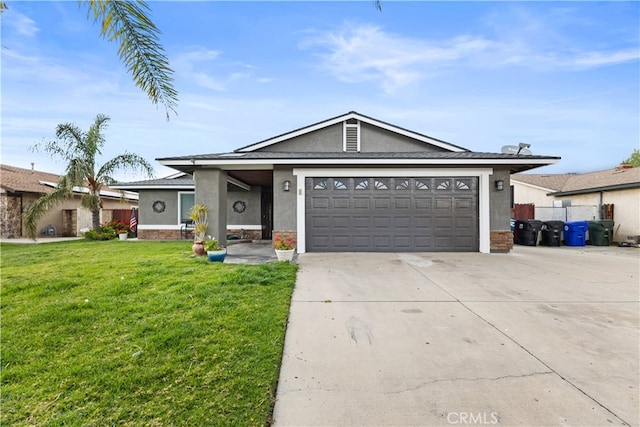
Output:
x=392 y=214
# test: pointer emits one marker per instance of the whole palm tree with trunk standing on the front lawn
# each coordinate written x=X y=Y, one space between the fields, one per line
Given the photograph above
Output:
x=79 y=149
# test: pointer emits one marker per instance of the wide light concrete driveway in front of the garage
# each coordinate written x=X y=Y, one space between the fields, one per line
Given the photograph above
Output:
x=540 y=336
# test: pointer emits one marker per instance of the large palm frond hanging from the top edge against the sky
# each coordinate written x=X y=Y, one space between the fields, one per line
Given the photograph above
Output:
x=139 y=48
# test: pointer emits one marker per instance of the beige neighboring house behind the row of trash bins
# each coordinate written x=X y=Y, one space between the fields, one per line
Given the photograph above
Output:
x=619 y=187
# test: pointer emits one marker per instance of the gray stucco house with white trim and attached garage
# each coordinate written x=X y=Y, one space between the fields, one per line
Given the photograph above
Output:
x=349 y=183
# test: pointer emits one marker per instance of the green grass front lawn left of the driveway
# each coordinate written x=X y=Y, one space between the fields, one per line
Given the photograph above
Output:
x=138 y=333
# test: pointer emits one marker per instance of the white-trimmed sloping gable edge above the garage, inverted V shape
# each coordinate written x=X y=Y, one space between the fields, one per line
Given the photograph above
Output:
x=350 y=116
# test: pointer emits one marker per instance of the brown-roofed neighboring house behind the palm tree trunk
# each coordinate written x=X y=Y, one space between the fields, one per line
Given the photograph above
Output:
x=19 y=188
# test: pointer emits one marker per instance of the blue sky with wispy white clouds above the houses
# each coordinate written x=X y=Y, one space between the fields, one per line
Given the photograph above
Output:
x=561 y=76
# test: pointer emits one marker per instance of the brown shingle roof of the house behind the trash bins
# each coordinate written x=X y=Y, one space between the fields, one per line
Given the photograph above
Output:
x=582 y=183
